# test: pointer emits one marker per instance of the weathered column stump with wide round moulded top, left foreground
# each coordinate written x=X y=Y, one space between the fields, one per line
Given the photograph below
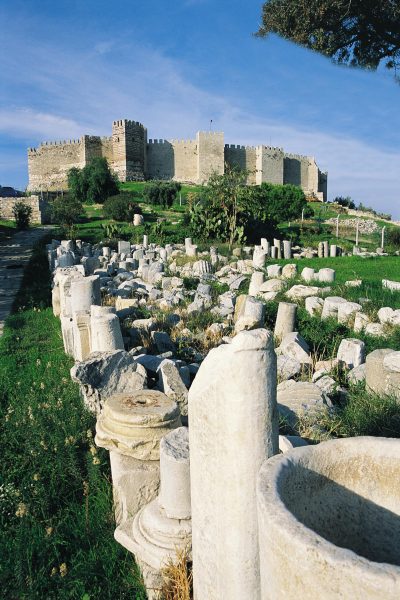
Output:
x=131 y=427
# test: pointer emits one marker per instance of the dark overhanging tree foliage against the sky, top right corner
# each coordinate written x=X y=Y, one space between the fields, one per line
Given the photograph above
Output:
x=359 y=33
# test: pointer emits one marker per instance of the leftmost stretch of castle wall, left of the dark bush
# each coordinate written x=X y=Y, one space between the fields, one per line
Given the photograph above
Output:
x=49 y=164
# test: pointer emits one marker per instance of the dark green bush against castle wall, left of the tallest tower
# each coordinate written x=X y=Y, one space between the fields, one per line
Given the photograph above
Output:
x=94 y=183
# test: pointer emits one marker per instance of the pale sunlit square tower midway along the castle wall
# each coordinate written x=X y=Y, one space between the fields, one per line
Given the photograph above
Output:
x=210 y=154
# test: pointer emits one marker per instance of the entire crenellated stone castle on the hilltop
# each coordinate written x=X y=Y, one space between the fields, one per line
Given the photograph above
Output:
x=133 y=157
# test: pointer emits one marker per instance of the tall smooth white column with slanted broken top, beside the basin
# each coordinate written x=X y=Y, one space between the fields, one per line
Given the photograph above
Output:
x=233 y=427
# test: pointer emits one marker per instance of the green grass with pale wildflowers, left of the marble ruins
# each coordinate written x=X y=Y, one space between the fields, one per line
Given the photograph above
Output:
x=56 y=521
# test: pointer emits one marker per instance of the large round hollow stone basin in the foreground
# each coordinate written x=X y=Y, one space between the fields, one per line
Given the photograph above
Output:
x=329 y=521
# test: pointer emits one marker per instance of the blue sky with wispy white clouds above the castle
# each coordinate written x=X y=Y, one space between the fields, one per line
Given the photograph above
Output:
x=72 y=67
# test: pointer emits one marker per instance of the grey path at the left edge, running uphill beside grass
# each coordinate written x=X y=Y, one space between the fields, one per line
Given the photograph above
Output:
x=15 y=253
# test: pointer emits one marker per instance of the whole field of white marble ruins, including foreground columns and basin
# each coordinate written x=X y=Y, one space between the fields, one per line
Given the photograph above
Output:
x=199 y=467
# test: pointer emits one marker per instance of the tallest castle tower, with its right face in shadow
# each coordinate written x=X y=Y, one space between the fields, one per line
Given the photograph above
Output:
x=129 y=141
